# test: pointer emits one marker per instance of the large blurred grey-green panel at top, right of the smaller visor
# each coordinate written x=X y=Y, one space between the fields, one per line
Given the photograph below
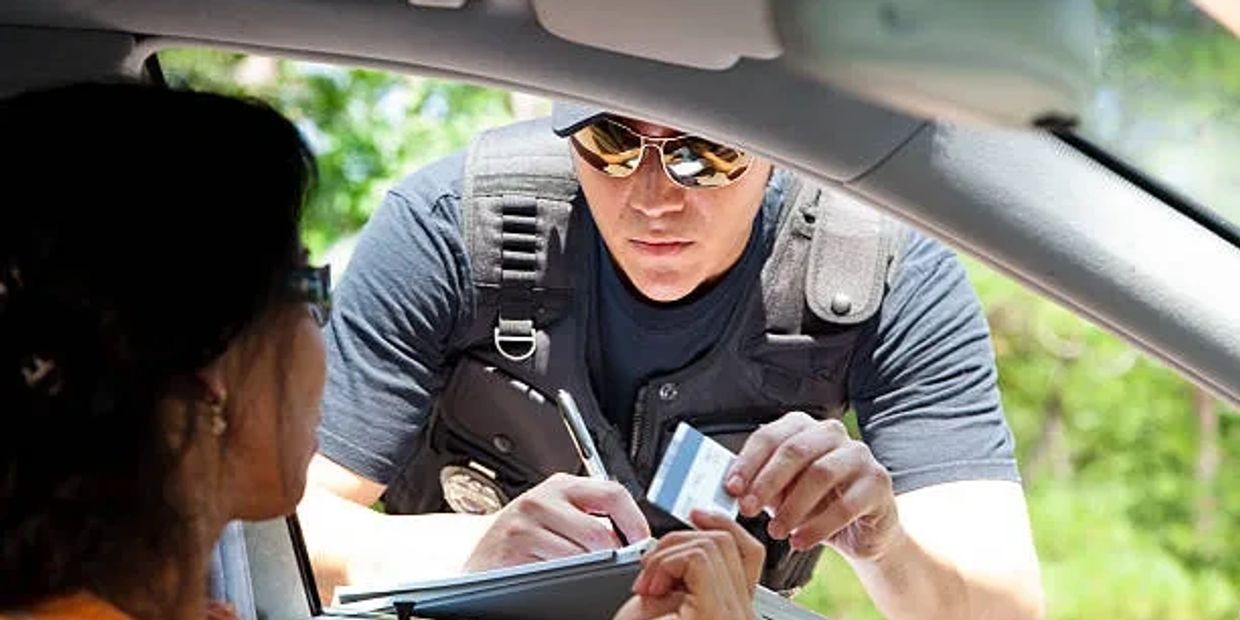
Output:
x=1007 y=63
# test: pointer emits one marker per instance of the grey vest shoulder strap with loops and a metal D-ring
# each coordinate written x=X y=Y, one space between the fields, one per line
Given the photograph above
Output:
x=519 y=193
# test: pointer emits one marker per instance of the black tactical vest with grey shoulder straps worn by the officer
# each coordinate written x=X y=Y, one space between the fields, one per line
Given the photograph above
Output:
x=495 y=430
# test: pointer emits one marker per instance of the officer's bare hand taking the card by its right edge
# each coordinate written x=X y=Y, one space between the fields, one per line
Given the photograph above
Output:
x=819 y=484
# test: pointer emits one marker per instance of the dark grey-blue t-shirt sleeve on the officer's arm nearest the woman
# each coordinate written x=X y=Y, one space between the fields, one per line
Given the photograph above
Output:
x=396 y=313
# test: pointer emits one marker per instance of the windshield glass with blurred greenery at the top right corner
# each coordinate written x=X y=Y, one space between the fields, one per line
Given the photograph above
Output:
x=1169 y=100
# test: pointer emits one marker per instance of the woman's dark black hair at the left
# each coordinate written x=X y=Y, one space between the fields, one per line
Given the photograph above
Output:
x=142 y=232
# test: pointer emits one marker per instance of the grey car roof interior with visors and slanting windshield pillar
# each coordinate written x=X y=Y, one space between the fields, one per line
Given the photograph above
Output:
x=784 y=80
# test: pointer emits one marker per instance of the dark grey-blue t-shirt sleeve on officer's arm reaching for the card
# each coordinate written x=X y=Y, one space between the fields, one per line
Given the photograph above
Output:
x=924 y=383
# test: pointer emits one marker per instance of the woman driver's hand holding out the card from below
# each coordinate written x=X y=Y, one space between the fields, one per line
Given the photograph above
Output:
x=702 y=575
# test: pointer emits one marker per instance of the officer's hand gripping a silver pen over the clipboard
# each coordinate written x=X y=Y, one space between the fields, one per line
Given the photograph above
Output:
x=559 y=518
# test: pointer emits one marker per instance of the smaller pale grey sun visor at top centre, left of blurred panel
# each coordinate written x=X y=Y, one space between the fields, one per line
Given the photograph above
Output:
x=702 y=34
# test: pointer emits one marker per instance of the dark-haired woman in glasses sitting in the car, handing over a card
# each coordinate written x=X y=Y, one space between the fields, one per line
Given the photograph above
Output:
x=162 y=361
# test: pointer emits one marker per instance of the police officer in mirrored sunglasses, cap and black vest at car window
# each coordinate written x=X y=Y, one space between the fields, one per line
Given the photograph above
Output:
x=662 y=278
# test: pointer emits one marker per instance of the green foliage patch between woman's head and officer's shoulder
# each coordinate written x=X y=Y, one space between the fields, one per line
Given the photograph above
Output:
x=368 y=128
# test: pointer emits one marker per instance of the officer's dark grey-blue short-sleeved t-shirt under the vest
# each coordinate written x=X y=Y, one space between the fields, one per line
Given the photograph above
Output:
x=923 y=384
